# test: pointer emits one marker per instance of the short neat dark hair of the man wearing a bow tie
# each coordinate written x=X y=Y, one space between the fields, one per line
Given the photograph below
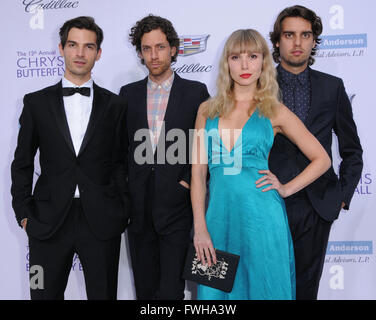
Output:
x=87 y=23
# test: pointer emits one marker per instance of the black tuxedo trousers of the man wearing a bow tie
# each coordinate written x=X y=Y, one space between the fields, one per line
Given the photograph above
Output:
x=99 y=259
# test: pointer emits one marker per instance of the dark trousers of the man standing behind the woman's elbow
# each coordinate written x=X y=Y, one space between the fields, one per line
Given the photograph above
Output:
x=310 y=234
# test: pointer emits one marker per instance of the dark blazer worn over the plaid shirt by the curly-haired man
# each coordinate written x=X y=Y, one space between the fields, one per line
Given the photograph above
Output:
x=171 y=207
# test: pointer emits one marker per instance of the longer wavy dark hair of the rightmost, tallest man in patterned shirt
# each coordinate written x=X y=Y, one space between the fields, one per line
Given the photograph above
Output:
x=301 y=12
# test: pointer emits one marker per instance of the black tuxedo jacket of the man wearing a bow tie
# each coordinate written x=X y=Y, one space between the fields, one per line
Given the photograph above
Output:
x=99 y=169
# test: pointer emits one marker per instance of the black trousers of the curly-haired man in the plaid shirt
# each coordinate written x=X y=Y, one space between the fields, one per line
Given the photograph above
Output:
x=158 y=259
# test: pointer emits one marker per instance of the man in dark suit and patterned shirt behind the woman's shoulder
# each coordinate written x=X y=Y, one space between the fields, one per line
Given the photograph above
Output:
x=320 y=101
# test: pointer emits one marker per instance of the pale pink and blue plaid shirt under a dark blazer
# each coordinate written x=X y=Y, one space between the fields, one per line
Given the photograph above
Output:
x=157 y=100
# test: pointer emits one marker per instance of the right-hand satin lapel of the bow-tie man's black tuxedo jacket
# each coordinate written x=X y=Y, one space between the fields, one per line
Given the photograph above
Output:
x=100 y=101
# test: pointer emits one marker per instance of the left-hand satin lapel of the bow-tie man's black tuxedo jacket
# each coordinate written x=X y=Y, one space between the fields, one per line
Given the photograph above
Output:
x=55 y=98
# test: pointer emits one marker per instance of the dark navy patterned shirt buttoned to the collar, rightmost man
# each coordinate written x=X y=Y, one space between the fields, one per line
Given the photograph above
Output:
x=296 y=91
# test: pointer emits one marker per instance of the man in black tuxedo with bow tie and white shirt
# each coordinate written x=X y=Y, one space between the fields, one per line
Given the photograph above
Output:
x=80 y=198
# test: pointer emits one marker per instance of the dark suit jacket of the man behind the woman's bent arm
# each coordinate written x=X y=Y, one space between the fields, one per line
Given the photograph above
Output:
x=330 y=111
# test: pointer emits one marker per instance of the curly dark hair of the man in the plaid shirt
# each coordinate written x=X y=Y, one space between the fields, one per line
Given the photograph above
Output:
x=150 y=23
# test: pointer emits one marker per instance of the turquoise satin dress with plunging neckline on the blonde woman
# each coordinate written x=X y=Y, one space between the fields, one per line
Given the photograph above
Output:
x=242 y=219
